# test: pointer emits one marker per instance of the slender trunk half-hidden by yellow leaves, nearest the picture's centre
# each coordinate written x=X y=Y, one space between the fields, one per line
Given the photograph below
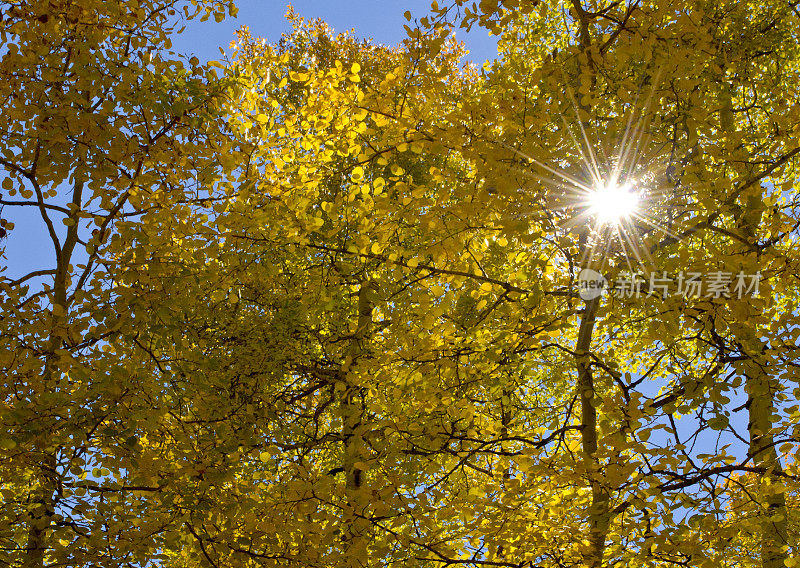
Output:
x=355 y=537
